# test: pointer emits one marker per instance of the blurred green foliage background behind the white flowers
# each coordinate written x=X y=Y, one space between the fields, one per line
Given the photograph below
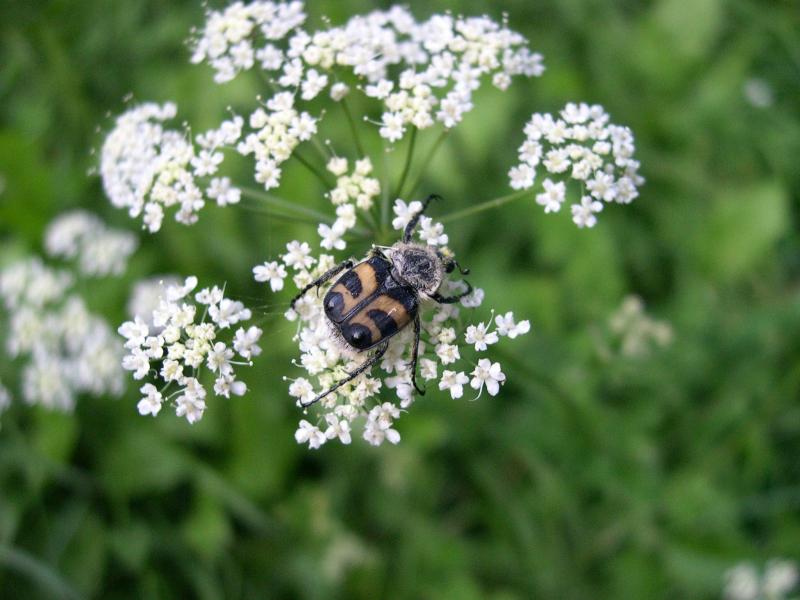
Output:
x=590 y=476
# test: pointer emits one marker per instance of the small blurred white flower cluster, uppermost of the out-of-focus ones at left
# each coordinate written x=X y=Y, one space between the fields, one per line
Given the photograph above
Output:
x=97 y=249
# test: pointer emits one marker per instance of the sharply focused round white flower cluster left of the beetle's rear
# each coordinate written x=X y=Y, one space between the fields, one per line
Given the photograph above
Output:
x=174 y=343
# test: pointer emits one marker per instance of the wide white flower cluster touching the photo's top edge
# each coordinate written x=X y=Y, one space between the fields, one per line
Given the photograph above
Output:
x=422 y=72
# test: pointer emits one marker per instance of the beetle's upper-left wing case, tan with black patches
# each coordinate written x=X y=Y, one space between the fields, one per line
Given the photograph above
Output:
x=356 y=286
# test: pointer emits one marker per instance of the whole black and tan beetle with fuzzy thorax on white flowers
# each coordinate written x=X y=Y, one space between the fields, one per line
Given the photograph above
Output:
x=379 y=296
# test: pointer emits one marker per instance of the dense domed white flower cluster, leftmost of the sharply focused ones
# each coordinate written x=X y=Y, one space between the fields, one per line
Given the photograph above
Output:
x=148 y=168
